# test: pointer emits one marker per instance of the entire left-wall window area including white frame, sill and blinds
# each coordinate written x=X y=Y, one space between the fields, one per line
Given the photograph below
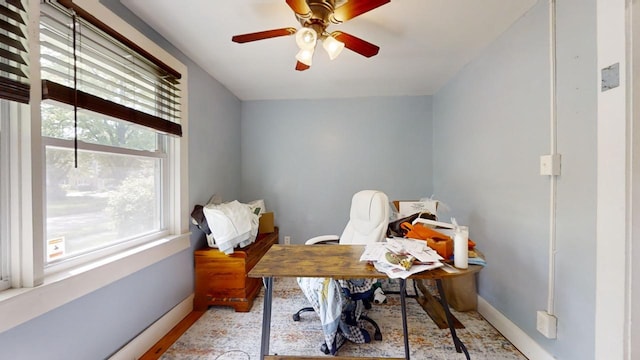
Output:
x=118 y=110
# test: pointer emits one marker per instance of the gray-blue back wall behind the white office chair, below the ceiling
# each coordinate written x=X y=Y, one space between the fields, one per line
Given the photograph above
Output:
x=307 y=158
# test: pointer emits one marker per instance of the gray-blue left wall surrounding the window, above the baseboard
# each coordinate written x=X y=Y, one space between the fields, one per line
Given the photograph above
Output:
x=97 y=325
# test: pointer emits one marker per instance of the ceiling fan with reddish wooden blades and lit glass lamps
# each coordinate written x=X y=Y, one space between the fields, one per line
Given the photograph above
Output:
x=315 y=16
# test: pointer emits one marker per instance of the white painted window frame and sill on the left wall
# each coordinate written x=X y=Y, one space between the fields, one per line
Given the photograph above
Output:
x=29 y=279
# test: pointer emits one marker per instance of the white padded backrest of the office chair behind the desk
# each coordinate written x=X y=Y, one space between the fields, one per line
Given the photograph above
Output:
x=368 y=219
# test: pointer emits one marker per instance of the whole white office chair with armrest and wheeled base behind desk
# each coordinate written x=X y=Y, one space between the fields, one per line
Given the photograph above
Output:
x=368 y=221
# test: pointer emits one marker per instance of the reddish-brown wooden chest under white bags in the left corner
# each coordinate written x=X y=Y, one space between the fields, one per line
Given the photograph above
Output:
x=222 y=279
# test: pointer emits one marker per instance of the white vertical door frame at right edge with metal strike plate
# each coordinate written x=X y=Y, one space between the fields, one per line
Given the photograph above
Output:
x=614 y=288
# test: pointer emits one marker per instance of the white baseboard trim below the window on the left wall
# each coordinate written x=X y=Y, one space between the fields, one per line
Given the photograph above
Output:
x=151 y=335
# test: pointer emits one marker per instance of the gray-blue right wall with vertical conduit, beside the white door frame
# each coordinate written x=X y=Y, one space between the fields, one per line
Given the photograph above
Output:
x=492 y=124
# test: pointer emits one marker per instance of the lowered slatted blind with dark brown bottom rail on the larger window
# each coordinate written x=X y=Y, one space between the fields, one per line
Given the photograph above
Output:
x=85 y=66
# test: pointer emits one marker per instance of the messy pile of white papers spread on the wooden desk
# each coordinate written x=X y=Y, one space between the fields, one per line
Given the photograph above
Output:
x=400 y=257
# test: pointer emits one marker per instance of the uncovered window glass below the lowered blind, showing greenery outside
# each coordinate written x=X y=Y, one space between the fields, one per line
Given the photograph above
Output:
x=116 y=192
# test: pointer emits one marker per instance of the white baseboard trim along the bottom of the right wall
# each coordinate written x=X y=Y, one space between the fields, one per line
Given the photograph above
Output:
x=527 y=346
